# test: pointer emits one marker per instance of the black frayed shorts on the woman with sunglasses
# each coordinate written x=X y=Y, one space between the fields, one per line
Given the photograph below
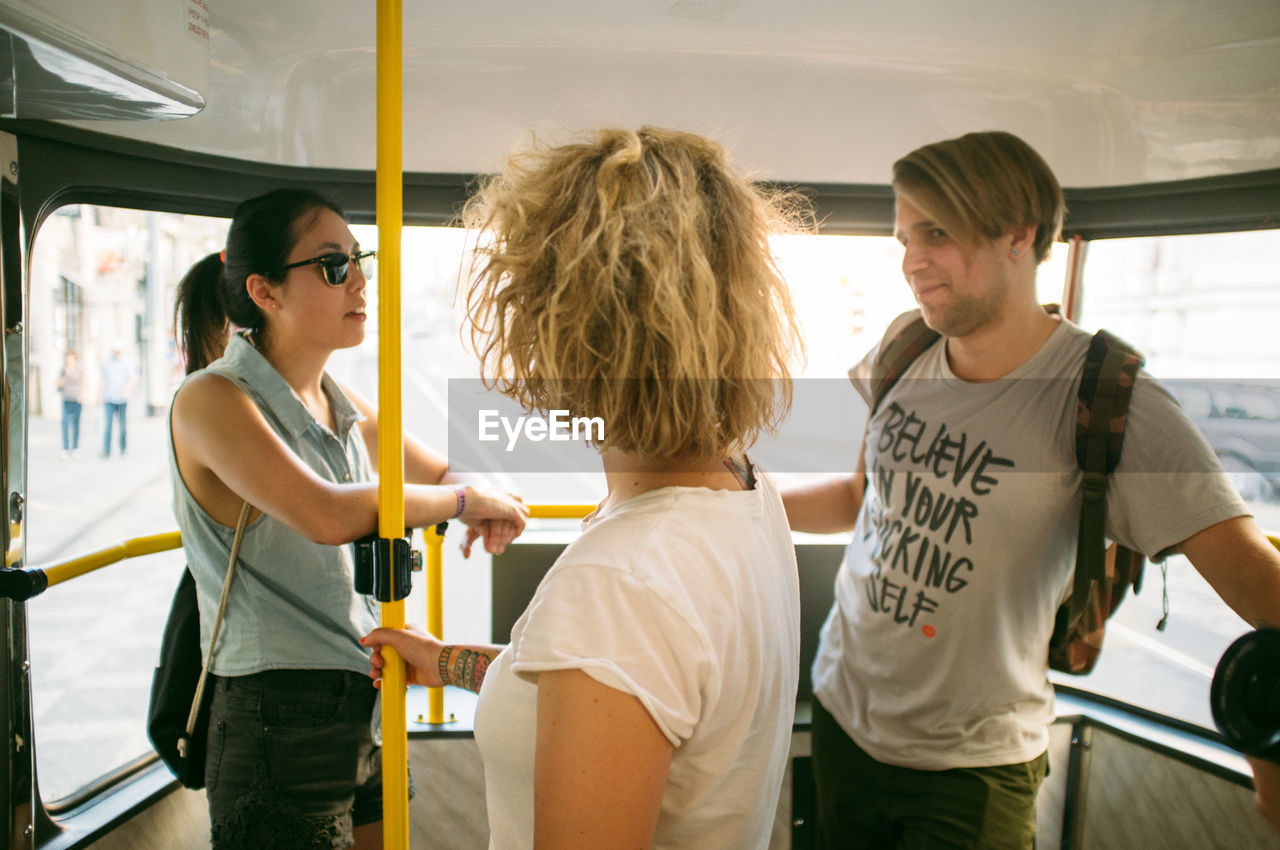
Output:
x=291 y=761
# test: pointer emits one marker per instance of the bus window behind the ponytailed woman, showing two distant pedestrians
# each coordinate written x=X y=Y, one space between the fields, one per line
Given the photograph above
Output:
x=102 y=289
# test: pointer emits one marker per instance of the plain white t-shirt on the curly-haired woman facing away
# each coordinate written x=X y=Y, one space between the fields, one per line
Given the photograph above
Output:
x=688 y=600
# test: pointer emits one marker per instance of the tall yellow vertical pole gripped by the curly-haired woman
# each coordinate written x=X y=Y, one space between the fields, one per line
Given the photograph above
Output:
x=391 y=447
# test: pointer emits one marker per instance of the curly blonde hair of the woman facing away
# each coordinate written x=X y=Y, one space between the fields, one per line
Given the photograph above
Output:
x=630 y=277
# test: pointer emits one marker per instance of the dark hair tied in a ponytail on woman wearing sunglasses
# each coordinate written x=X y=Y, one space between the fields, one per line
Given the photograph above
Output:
x=259 y=241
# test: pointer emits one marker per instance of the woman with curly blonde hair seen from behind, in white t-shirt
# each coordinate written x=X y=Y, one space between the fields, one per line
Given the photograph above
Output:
x=648 y=692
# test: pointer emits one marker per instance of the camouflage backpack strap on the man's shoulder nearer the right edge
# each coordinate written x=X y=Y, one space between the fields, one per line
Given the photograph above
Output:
x=1103 y=405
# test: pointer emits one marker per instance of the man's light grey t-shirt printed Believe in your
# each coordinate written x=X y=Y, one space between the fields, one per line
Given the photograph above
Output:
x=935 y=654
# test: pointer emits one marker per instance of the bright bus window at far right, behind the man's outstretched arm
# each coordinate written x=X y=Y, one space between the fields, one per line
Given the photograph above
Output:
x=1204 y=309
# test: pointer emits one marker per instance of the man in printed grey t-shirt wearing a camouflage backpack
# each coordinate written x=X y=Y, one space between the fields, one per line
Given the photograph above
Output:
x=932 y=701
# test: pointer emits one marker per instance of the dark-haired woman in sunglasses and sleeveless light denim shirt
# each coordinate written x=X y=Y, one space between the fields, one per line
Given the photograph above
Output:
x=291 y=757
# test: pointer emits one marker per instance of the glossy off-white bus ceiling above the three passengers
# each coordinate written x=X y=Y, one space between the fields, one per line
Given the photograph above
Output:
x=1158 y=120
